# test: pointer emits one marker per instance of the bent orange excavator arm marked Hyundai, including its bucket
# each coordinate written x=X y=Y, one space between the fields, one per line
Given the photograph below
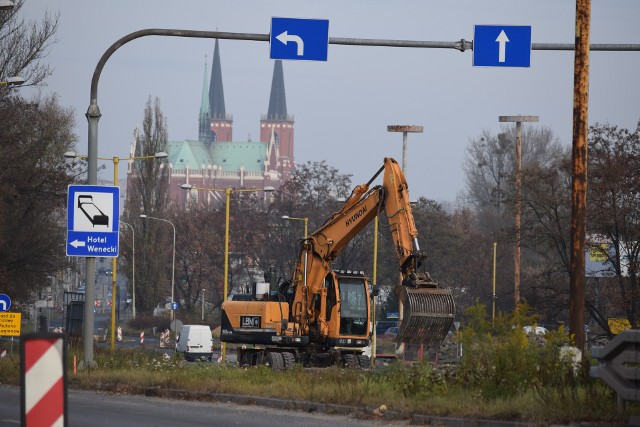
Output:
x=428 y=309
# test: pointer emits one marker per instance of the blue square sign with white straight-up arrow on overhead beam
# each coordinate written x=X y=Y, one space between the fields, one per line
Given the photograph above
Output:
x=501 y=46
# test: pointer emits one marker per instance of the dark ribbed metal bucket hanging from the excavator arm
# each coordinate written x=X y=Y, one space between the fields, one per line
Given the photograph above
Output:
x=428 y=313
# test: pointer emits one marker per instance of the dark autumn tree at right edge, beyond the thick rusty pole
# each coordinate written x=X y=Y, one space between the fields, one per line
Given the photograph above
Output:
x=614 y=204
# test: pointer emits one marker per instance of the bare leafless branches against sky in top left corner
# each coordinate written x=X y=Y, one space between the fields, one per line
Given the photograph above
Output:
x=24 y=45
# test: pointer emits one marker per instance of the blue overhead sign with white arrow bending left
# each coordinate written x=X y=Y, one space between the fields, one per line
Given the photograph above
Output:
x=299 y=39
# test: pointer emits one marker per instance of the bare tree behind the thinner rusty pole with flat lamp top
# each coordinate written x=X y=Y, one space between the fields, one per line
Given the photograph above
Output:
x=490 y=172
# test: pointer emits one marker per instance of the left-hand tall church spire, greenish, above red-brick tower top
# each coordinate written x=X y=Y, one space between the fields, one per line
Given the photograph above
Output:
x=221 y=122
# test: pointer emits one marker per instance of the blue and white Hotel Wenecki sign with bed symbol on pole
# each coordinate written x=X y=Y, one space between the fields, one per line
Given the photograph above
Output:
x=93 y=215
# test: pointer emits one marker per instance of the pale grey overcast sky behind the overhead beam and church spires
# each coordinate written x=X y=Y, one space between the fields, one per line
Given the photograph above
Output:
x=342 y=106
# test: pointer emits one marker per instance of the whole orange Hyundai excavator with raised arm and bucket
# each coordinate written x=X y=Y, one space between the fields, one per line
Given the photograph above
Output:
x=322 y=317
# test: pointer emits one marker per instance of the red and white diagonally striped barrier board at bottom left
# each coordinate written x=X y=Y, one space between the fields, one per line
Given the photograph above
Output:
x=44 y=382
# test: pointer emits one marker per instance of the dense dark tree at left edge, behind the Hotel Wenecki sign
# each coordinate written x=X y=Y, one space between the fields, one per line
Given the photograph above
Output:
x=34 y=135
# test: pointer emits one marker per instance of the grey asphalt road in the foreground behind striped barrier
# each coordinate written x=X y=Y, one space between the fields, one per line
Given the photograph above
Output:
x=98 y=410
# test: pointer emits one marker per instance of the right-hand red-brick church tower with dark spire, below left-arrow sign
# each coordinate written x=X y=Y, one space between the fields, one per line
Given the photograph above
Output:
x=277 y=124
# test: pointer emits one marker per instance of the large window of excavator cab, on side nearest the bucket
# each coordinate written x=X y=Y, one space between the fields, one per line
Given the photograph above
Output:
x=353 y=306
